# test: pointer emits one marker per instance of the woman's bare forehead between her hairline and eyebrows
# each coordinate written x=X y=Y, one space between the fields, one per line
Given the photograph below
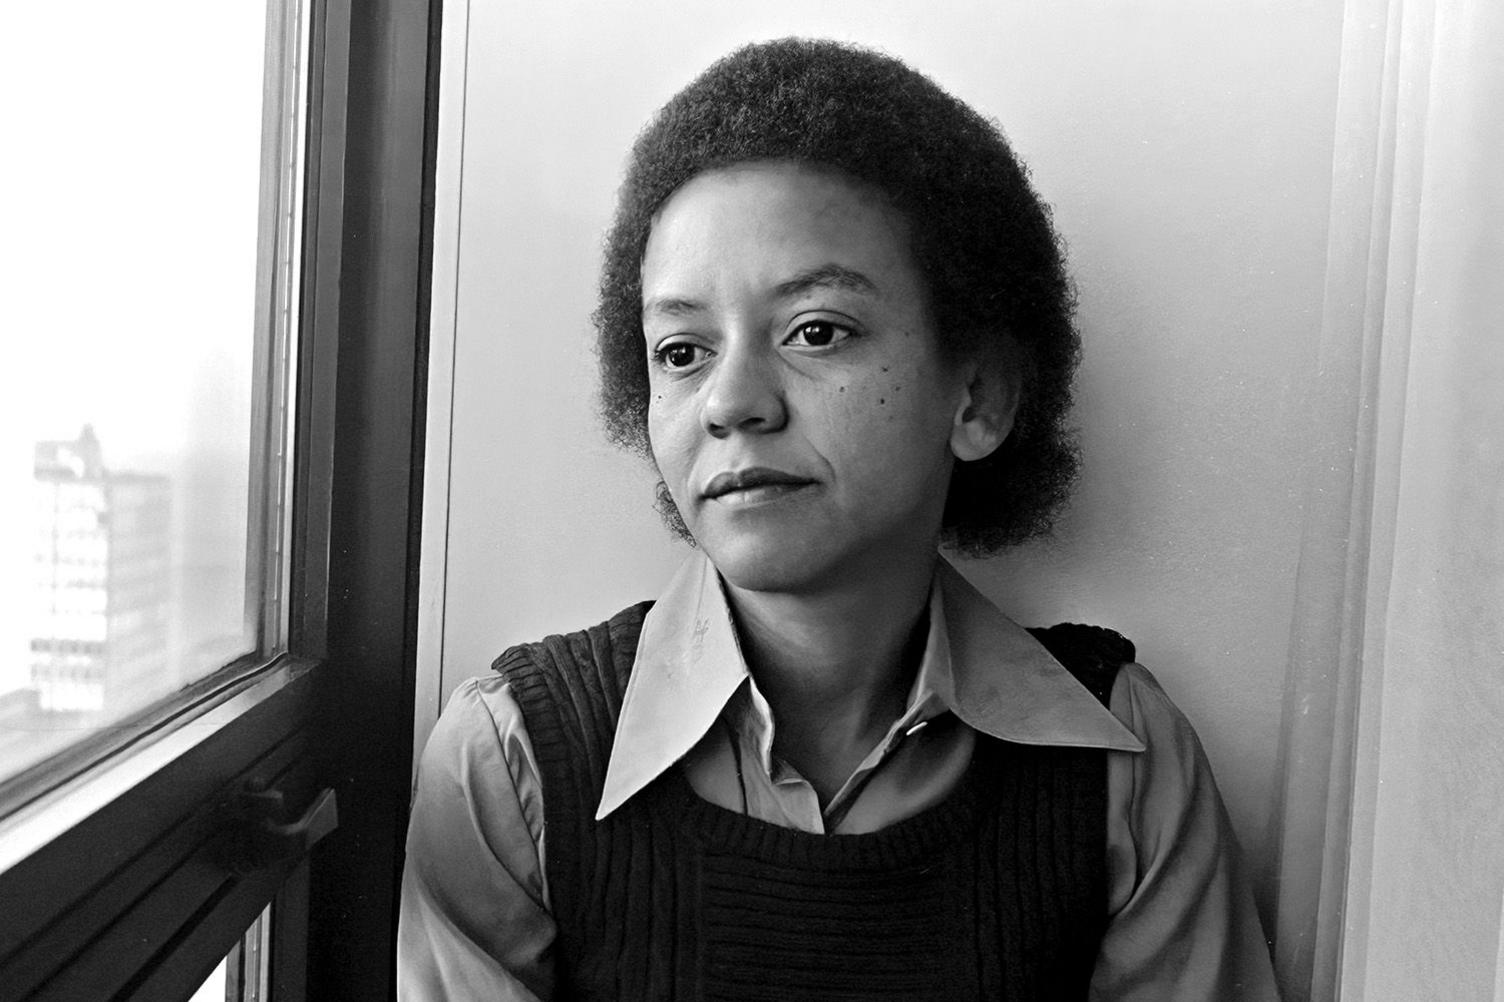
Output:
x=757 y=226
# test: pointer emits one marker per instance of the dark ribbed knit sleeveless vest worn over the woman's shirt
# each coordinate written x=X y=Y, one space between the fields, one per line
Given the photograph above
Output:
x=998 y=893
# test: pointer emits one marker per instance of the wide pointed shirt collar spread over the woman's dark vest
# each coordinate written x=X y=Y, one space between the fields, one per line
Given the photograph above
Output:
x=978 y=664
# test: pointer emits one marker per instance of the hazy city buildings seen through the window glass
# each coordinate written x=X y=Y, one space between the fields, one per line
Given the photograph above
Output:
x=138 y=586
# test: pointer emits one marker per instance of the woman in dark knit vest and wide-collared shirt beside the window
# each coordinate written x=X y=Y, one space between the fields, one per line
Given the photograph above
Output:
x=835 y=318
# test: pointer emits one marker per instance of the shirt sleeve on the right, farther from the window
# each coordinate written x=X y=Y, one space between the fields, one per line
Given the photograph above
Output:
x=1183 y=926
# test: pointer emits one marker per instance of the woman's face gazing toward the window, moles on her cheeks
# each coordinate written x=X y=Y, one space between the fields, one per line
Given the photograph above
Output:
x=801 y=410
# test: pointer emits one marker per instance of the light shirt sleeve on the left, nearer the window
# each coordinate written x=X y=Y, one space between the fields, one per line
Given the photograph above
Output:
x=475 y=922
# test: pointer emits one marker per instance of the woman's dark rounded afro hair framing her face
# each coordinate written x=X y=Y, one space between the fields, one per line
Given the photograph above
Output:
x=981 y=240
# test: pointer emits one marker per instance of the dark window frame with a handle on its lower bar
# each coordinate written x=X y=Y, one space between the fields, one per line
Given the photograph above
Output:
x=132 y=899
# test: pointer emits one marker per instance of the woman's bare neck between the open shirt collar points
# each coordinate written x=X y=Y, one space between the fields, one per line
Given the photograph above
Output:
x=835 y=666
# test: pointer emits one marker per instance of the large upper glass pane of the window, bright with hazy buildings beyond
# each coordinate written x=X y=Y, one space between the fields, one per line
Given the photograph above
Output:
x=147 y=204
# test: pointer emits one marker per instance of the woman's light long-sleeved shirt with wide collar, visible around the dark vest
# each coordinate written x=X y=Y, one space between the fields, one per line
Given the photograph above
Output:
x=476 y=920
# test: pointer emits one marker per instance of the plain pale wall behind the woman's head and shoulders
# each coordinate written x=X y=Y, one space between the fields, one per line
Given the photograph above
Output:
x=1186 y=148
